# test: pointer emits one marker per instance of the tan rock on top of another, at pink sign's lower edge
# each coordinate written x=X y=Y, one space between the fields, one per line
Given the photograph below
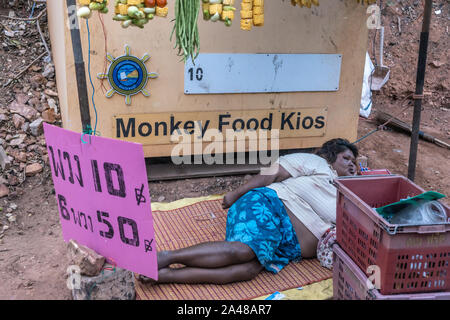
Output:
x=89 y=261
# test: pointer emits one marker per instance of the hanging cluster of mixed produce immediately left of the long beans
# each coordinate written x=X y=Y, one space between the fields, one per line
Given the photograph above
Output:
x=139 y=12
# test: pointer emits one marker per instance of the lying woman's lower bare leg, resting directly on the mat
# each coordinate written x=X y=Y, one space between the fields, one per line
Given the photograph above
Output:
x=233 y=273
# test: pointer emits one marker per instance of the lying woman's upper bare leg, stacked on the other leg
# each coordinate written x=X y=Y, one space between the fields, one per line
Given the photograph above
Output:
x=208 y=255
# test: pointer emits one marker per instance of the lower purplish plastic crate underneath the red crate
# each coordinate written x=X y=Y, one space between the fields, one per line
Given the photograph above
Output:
x=350 y=283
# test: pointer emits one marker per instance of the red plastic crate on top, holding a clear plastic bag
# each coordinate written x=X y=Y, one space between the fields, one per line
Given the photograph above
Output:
x=410 y=259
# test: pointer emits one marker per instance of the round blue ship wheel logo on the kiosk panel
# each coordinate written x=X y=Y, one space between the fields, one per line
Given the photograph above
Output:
x=127 y=75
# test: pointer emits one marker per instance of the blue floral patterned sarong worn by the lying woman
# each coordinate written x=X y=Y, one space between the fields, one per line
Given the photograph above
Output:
x=260 y=220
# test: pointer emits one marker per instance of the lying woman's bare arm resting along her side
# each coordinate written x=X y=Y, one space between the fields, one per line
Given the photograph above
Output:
x=261 y=180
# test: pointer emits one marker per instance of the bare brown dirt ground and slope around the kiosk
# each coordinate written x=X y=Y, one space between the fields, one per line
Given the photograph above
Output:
x=33 y=258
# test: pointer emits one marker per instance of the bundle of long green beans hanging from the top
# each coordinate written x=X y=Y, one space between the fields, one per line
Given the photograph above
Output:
x=186 y=28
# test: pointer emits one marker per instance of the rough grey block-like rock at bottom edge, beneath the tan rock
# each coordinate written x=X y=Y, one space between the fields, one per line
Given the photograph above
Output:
x=112 y=284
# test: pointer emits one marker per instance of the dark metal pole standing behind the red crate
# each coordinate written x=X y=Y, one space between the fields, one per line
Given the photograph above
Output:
x=421 y=65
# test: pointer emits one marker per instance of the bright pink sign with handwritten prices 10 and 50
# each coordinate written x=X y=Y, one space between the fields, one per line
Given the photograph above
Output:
x=103 y=197
